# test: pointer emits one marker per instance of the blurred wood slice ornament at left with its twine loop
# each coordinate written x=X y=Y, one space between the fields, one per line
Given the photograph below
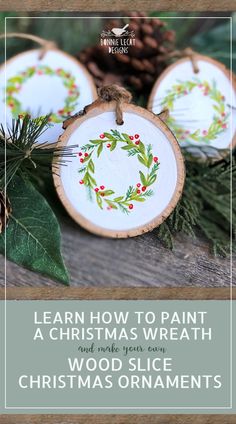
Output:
x=44 y=81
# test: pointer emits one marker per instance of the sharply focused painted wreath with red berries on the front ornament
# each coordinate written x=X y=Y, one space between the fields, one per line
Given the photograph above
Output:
x=106 y=196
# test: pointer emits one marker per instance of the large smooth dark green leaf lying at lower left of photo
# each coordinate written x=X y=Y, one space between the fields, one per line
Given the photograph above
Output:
x=33 y=234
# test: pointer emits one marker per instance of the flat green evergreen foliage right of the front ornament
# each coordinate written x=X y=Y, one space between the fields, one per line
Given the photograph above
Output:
x=205 y=204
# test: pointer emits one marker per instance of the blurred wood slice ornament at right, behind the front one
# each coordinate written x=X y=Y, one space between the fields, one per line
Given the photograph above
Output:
x=201 y=99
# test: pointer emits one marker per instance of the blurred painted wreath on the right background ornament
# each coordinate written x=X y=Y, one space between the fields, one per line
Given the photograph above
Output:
x=220 y=118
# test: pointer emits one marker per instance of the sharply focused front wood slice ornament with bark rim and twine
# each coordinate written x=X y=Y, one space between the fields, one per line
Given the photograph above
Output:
x=128 y=173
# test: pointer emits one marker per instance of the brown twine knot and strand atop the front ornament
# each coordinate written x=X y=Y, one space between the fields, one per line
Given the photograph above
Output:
x=118 y=94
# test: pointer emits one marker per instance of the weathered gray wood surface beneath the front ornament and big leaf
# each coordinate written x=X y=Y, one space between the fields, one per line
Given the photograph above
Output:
x=138 y=261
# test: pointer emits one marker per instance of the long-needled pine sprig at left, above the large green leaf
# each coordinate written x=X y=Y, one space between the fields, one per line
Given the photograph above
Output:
x=21 y=151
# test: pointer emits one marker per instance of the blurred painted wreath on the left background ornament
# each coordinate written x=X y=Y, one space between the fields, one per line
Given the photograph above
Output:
x=14 y=85
